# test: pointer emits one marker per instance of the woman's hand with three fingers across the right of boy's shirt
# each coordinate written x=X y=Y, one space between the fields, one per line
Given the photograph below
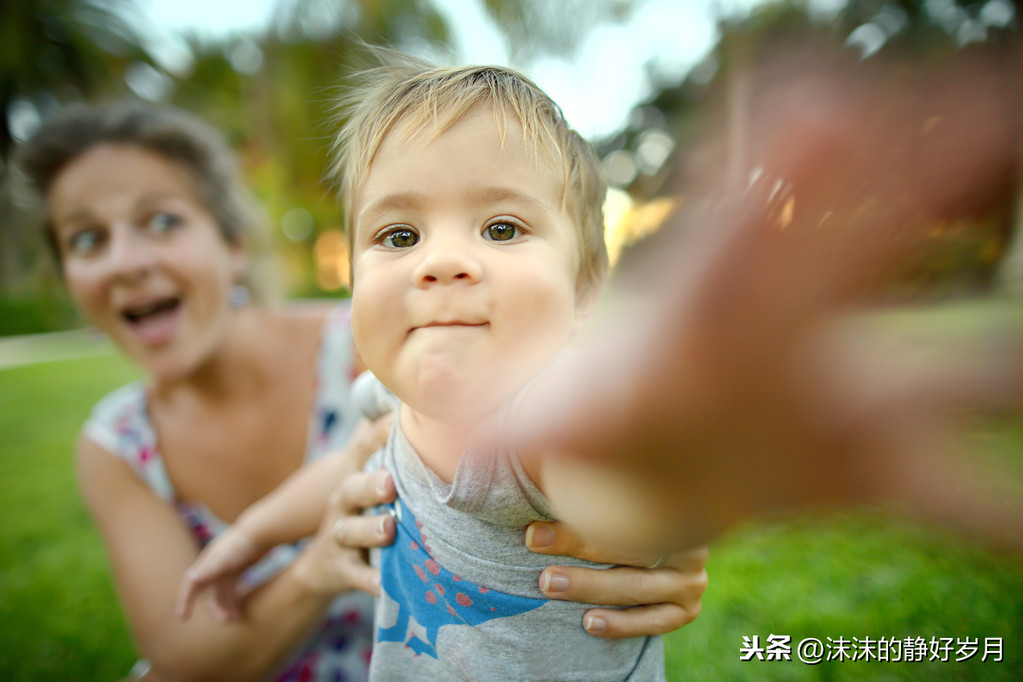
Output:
x=659 y=600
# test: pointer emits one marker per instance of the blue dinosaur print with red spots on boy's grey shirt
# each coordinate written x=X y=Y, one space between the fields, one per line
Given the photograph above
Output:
x=432 y=596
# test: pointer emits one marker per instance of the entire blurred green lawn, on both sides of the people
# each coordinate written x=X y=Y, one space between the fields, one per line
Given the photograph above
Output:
x=855 y=576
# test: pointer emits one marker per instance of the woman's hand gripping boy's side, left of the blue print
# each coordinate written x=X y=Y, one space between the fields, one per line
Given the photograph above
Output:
x=336 y=560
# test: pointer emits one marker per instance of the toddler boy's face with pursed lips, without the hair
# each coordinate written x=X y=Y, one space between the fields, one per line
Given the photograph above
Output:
x=464 y=267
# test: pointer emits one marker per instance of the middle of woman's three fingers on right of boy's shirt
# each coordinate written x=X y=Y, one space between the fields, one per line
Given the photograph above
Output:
x=625 y=586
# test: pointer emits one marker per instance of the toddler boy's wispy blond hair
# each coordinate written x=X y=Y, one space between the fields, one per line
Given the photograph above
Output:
x=404 y=95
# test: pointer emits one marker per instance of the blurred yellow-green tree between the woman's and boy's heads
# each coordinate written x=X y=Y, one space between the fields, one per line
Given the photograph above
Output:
x=285 y=124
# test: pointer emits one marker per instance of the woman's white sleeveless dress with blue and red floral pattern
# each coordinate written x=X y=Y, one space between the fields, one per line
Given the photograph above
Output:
x=120 y=423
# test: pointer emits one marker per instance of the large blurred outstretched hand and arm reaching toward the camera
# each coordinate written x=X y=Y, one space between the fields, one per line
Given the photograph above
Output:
x=745 y=393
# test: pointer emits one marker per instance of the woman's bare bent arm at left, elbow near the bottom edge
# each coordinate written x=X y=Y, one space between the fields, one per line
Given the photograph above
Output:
x=150 y=551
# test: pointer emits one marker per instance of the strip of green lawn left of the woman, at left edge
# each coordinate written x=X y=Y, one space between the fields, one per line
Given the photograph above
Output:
x=59 y=616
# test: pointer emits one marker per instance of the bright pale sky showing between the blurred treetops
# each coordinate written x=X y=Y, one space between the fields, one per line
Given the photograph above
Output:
x=598 y=87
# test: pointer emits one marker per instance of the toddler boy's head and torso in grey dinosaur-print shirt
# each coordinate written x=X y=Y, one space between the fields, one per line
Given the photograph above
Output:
x=475 y=224
